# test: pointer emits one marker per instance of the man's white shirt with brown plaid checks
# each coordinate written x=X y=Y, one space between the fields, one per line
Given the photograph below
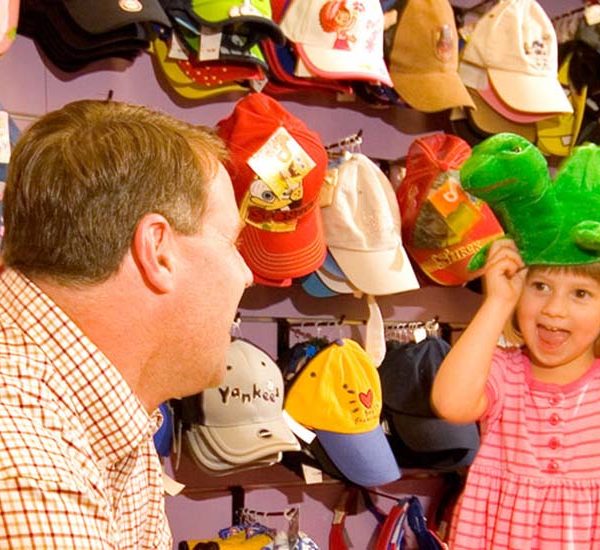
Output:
x=78 y=467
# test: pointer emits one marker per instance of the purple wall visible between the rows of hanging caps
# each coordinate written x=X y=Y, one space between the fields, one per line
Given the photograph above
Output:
x=29 y=87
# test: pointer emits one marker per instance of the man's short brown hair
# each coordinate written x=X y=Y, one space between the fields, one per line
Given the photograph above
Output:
x=82 y=177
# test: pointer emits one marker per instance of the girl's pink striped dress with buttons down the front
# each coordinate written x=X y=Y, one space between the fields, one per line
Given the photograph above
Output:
x=535 y=482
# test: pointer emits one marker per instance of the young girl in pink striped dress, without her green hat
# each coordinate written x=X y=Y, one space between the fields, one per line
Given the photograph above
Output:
x=535 y=482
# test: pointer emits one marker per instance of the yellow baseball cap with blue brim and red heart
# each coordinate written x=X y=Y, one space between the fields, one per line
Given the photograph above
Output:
x=338 y=395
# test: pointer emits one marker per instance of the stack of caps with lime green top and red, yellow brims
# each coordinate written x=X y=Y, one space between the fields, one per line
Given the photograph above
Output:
x=214 y=47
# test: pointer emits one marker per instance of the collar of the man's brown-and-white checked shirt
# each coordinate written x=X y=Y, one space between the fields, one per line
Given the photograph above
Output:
x=113 y=417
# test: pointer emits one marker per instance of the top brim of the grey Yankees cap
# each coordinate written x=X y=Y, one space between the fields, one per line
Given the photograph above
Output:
x=246 y=443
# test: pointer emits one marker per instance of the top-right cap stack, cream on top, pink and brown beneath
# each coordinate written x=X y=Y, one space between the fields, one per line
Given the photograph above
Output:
x=510 y=66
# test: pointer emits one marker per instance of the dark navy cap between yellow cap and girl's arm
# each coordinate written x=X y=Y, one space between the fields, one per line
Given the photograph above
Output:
x=407 y=375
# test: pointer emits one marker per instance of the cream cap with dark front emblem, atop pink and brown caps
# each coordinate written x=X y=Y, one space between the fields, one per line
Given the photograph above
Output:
x=517 y=45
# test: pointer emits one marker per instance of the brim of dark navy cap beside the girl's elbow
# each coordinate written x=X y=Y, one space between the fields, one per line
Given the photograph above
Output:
x=434 y=434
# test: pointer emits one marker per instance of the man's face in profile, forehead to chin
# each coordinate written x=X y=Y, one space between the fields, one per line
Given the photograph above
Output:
x=212 y=280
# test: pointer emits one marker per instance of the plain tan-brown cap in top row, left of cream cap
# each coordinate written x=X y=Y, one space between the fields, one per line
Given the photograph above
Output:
x=424 y=57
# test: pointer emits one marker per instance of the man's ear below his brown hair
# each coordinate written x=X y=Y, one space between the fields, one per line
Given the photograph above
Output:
x=154 y=252
